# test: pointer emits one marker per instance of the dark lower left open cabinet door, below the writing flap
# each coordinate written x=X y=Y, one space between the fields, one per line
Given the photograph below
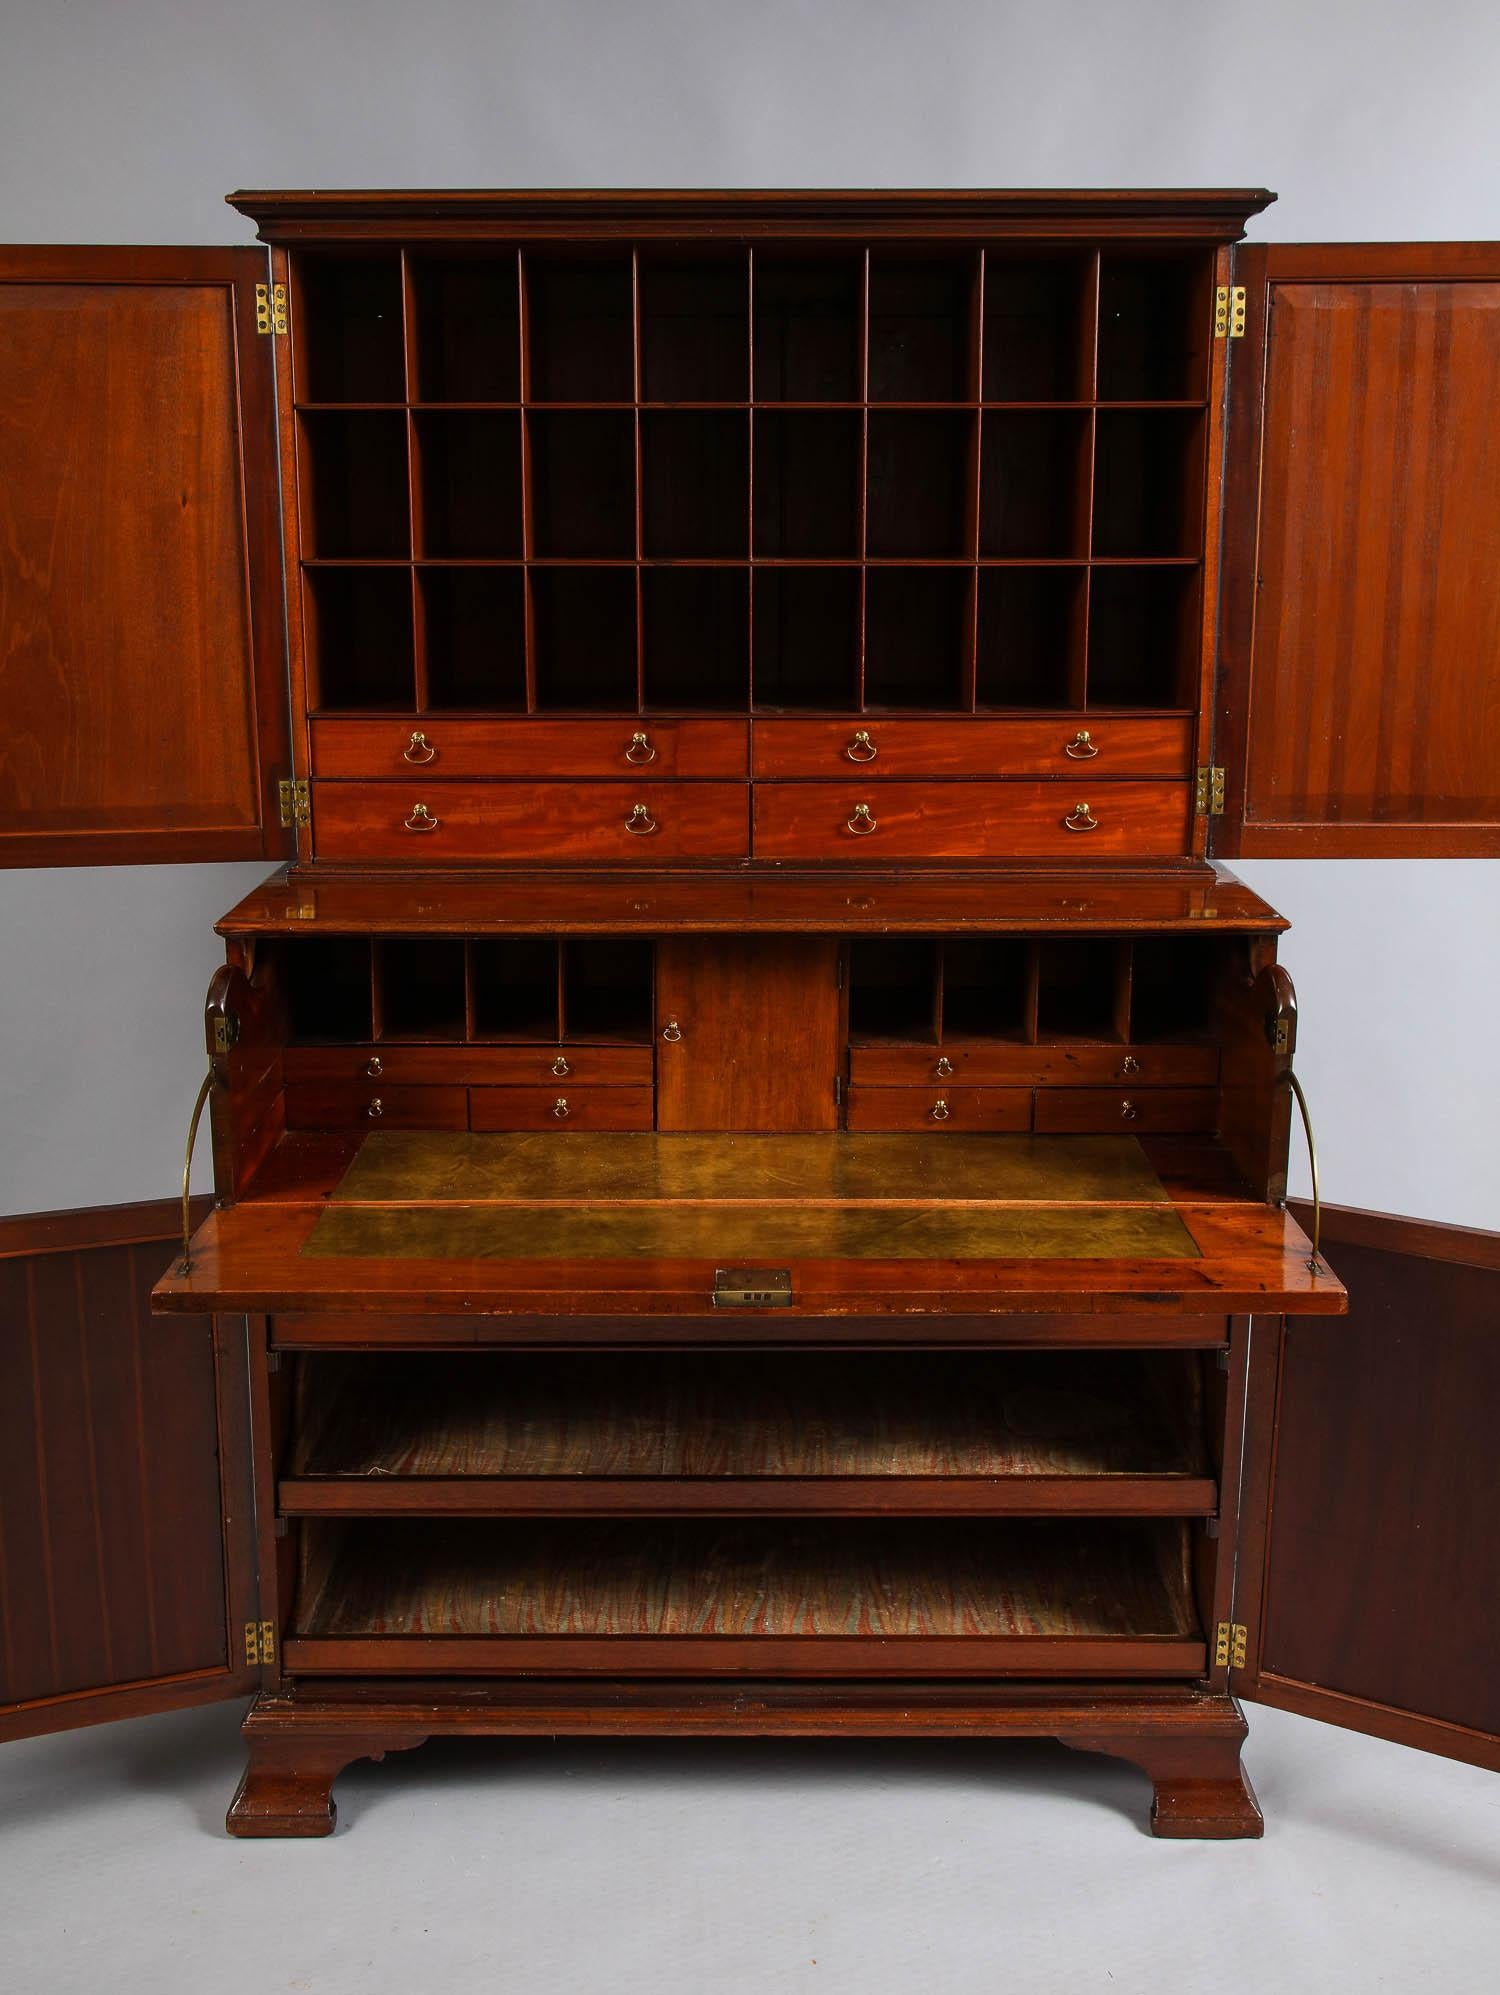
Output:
x=127 y=1515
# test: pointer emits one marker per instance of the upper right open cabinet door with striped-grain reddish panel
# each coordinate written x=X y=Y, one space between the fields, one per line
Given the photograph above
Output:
x=1359 y=689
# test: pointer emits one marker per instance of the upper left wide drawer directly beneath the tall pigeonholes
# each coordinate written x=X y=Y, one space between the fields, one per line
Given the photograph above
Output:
x=440 y=749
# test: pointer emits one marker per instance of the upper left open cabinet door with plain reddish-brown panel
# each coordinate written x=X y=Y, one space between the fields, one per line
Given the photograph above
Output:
x=143 y=613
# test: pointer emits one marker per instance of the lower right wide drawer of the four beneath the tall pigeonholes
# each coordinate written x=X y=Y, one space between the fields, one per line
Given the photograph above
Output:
x=970 y=821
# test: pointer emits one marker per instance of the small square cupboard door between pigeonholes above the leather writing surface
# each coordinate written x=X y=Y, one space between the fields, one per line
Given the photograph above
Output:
x=747 y=1032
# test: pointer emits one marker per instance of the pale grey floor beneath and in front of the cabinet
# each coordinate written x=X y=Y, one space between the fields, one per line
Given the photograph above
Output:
x=743 y=1866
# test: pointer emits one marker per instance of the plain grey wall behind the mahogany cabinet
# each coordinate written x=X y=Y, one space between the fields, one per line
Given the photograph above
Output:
x=1375 y=119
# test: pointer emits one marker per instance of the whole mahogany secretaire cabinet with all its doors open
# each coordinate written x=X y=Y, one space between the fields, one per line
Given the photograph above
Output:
x=751 y=1126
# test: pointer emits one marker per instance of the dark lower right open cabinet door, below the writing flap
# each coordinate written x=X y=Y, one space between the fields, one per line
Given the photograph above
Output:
x=1369 y=1577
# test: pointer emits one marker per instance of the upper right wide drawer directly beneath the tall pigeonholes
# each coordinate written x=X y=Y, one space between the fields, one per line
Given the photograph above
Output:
x=968 y=747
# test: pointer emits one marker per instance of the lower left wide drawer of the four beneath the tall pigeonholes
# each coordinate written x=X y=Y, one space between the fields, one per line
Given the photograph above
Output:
x=530 y=821
